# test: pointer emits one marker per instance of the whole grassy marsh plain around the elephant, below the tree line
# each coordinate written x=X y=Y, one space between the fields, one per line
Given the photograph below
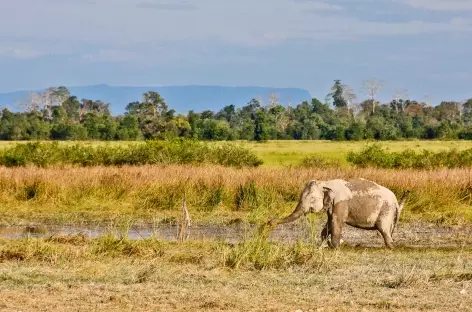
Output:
x=236 y=188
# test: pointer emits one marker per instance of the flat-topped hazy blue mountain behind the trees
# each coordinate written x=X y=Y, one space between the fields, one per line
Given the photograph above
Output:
x=180 y=98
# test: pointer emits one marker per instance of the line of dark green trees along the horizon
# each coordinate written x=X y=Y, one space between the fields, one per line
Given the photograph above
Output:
x=55 y=114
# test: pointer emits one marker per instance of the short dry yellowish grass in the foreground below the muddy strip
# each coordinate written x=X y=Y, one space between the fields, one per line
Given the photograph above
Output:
x=67 y=274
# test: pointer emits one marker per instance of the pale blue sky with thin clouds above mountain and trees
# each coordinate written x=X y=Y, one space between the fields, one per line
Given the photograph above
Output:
x=424 y=46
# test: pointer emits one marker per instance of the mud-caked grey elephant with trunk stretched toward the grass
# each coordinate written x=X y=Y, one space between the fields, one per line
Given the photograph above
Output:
x=357 y=202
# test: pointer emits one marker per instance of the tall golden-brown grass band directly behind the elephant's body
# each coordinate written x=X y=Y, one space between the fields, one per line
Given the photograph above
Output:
x=214 y=194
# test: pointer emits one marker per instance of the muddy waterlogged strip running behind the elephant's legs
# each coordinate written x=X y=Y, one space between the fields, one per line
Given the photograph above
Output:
x=412 y=234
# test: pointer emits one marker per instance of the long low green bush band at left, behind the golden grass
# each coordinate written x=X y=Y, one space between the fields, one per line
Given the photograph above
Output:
x=177 y=151
